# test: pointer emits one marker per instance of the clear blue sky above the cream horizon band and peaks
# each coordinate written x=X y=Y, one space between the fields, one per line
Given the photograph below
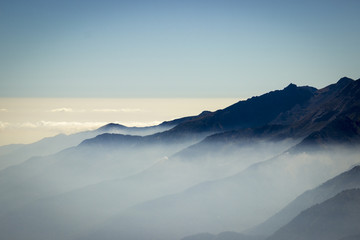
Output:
x=174 y=48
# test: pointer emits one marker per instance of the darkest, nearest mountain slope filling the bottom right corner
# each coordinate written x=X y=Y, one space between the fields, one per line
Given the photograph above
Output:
x=333 y=219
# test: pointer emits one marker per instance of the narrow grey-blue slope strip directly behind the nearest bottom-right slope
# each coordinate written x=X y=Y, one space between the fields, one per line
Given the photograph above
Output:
x=347 y=180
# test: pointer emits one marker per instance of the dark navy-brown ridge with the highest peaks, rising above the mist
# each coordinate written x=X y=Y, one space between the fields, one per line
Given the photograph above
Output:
x=271 y=115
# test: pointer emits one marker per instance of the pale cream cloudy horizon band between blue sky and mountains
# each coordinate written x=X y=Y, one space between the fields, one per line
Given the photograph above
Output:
x=27 y=120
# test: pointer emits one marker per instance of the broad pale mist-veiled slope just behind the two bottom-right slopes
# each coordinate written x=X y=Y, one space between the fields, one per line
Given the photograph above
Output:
x=237 y=202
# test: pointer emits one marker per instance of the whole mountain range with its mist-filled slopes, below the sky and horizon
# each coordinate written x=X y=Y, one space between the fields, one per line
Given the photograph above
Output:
x=243 y=172
